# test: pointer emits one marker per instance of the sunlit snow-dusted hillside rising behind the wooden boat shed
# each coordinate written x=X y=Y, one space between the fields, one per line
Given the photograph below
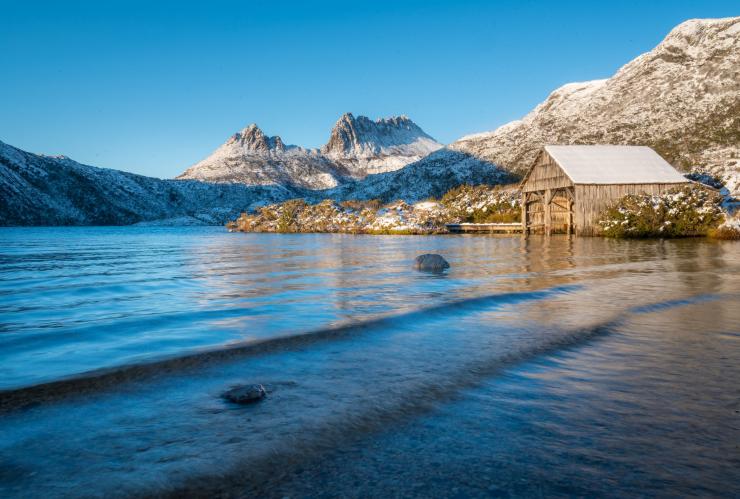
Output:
x=681 y=98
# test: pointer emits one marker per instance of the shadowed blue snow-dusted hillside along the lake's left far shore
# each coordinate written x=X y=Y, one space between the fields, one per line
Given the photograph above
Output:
x=44 y=190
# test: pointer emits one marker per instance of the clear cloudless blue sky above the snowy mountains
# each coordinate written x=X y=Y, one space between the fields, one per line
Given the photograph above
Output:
x=152 y=87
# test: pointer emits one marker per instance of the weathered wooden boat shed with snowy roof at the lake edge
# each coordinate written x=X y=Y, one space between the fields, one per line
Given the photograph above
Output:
x=568 y=187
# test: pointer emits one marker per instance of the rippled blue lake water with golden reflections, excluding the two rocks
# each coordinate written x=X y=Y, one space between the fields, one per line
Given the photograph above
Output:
x=533 y=367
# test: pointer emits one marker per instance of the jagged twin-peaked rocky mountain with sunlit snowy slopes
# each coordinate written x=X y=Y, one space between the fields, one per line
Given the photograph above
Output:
x=357 y=147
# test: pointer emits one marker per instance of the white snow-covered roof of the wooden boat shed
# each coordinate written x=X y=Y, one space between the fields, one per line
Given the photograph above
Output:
x=607 y=164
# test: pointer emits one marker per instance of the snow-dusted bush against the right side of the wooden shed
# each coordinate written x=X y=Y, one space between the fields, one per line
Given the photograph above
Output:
x=688 y=211
